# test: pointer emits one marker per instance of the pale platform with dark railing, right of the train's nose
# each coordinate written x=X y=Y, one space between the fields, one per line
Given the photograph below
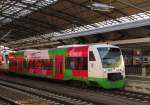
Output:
x=138 y=78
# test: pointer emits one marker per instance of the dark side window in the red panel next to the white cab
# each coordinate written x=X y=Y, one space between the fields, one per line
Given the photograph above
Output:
x=76 y=63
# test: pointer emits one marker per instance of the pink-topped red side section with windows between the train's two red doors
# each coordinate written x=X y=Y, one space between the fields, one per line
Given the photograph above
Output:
x=38 y=63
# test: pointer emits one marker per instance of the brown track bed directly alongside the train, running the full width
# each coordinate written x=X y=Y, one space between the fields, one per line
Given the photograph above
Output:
x=112 y=97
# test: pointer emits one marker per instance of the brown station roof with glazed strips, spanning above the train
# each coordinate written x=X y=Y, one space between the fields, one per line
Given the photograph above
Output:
x=22 y=21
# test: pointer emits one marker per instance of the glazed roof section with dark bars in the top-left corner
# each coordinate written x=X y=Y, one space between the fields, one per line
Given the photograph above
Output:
x=14 y=9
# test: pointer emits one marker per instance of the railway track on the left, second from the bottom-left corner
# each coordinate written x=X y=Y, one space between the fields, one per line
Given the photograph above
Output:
x=52 y=98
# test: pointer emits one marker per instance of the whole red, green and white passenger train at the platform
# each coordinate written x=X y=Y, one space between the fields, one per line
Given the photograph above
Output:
x=100 y=65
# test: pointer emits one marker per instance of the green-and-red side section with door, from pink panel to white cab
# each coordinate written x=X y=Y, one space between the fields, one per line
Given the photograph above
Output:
x=70 y=63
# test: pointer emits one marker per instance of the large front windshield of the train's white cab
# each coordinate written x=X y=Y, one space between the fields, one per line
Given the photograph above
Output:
x=110 y=57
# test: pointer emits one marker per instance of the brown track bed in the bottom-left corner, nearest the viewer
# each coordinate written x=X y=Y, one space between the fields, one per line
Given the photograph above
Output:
x=9 y=96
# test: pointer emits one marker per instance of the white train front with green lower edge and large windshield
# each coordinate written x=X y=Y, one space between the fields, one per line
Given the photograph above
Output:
x=106 y=66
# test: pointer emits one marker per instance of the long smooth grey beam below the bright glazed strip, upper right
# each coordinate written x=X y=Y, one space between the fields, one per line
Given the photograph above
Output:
x=122 y=26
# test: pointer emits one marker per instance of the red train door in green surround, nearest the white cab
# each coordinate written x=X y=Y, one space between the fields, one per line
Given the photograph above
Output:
x=59 y=67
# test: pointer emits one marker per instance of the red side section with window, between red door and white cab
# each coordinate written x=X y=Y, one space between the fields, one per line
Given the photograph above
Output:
x=76 y=62
